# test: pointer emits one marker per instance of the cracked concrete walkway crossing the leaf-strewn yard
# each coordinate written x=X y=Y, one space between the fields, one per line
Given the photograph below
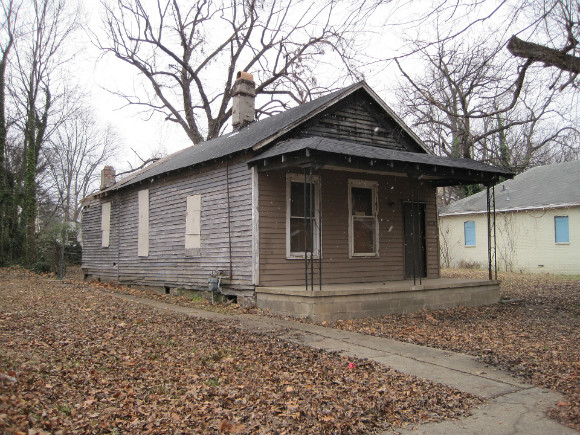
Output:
x=511 y=406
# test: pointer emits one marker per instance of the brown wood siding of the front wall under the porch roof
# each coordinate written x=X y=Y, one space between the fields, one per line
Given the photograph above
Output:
x=337 y=267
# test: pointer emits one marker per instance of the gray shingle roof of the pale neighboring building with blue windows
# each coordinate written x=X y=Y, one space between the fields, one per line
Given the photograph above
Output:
x=540 y=187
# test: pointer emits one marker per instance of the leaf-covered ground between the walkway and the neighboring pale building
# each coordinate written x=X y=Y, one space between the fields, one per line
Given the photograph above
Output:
x=534 y=333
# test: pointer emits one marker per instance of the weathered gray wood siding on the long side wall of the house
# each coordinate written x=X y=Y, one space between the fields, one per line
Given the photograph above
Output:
x=167 y=263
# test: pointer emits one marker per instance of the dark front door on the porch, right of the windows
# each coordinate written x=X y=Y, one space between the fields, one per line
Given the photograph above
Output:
x=415 y=246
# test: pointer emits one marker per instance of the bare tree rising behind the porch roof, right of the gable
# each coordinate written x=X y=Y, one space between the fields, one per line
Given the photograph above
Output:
x=459 y=107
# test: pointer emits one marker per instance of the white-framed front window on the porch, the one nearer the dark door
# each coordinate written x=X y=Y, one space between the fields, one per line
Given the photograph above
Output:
x=363 y=222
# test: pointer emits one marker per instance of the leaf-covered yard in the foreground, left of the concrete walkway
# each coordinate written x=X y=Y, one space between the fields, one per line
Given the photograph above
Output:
x=75 y=359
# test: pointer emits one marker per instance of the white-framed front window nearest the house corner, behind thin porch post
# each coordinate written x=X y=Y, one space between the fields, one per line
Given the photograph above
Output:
x=301 y=216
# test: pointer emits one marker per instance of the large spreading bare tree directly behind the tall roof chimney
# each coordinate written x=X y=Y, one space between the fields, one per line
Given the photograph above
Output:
x=189 y=52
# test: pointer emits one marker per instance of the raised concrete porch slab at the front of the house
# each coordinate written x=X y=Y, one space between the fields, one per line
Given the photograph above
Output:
x=350 y=301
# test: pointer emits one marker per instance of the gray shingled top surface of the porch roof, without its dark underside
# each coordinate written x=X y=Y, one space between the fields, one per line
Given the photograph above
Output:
x=379 y=153
